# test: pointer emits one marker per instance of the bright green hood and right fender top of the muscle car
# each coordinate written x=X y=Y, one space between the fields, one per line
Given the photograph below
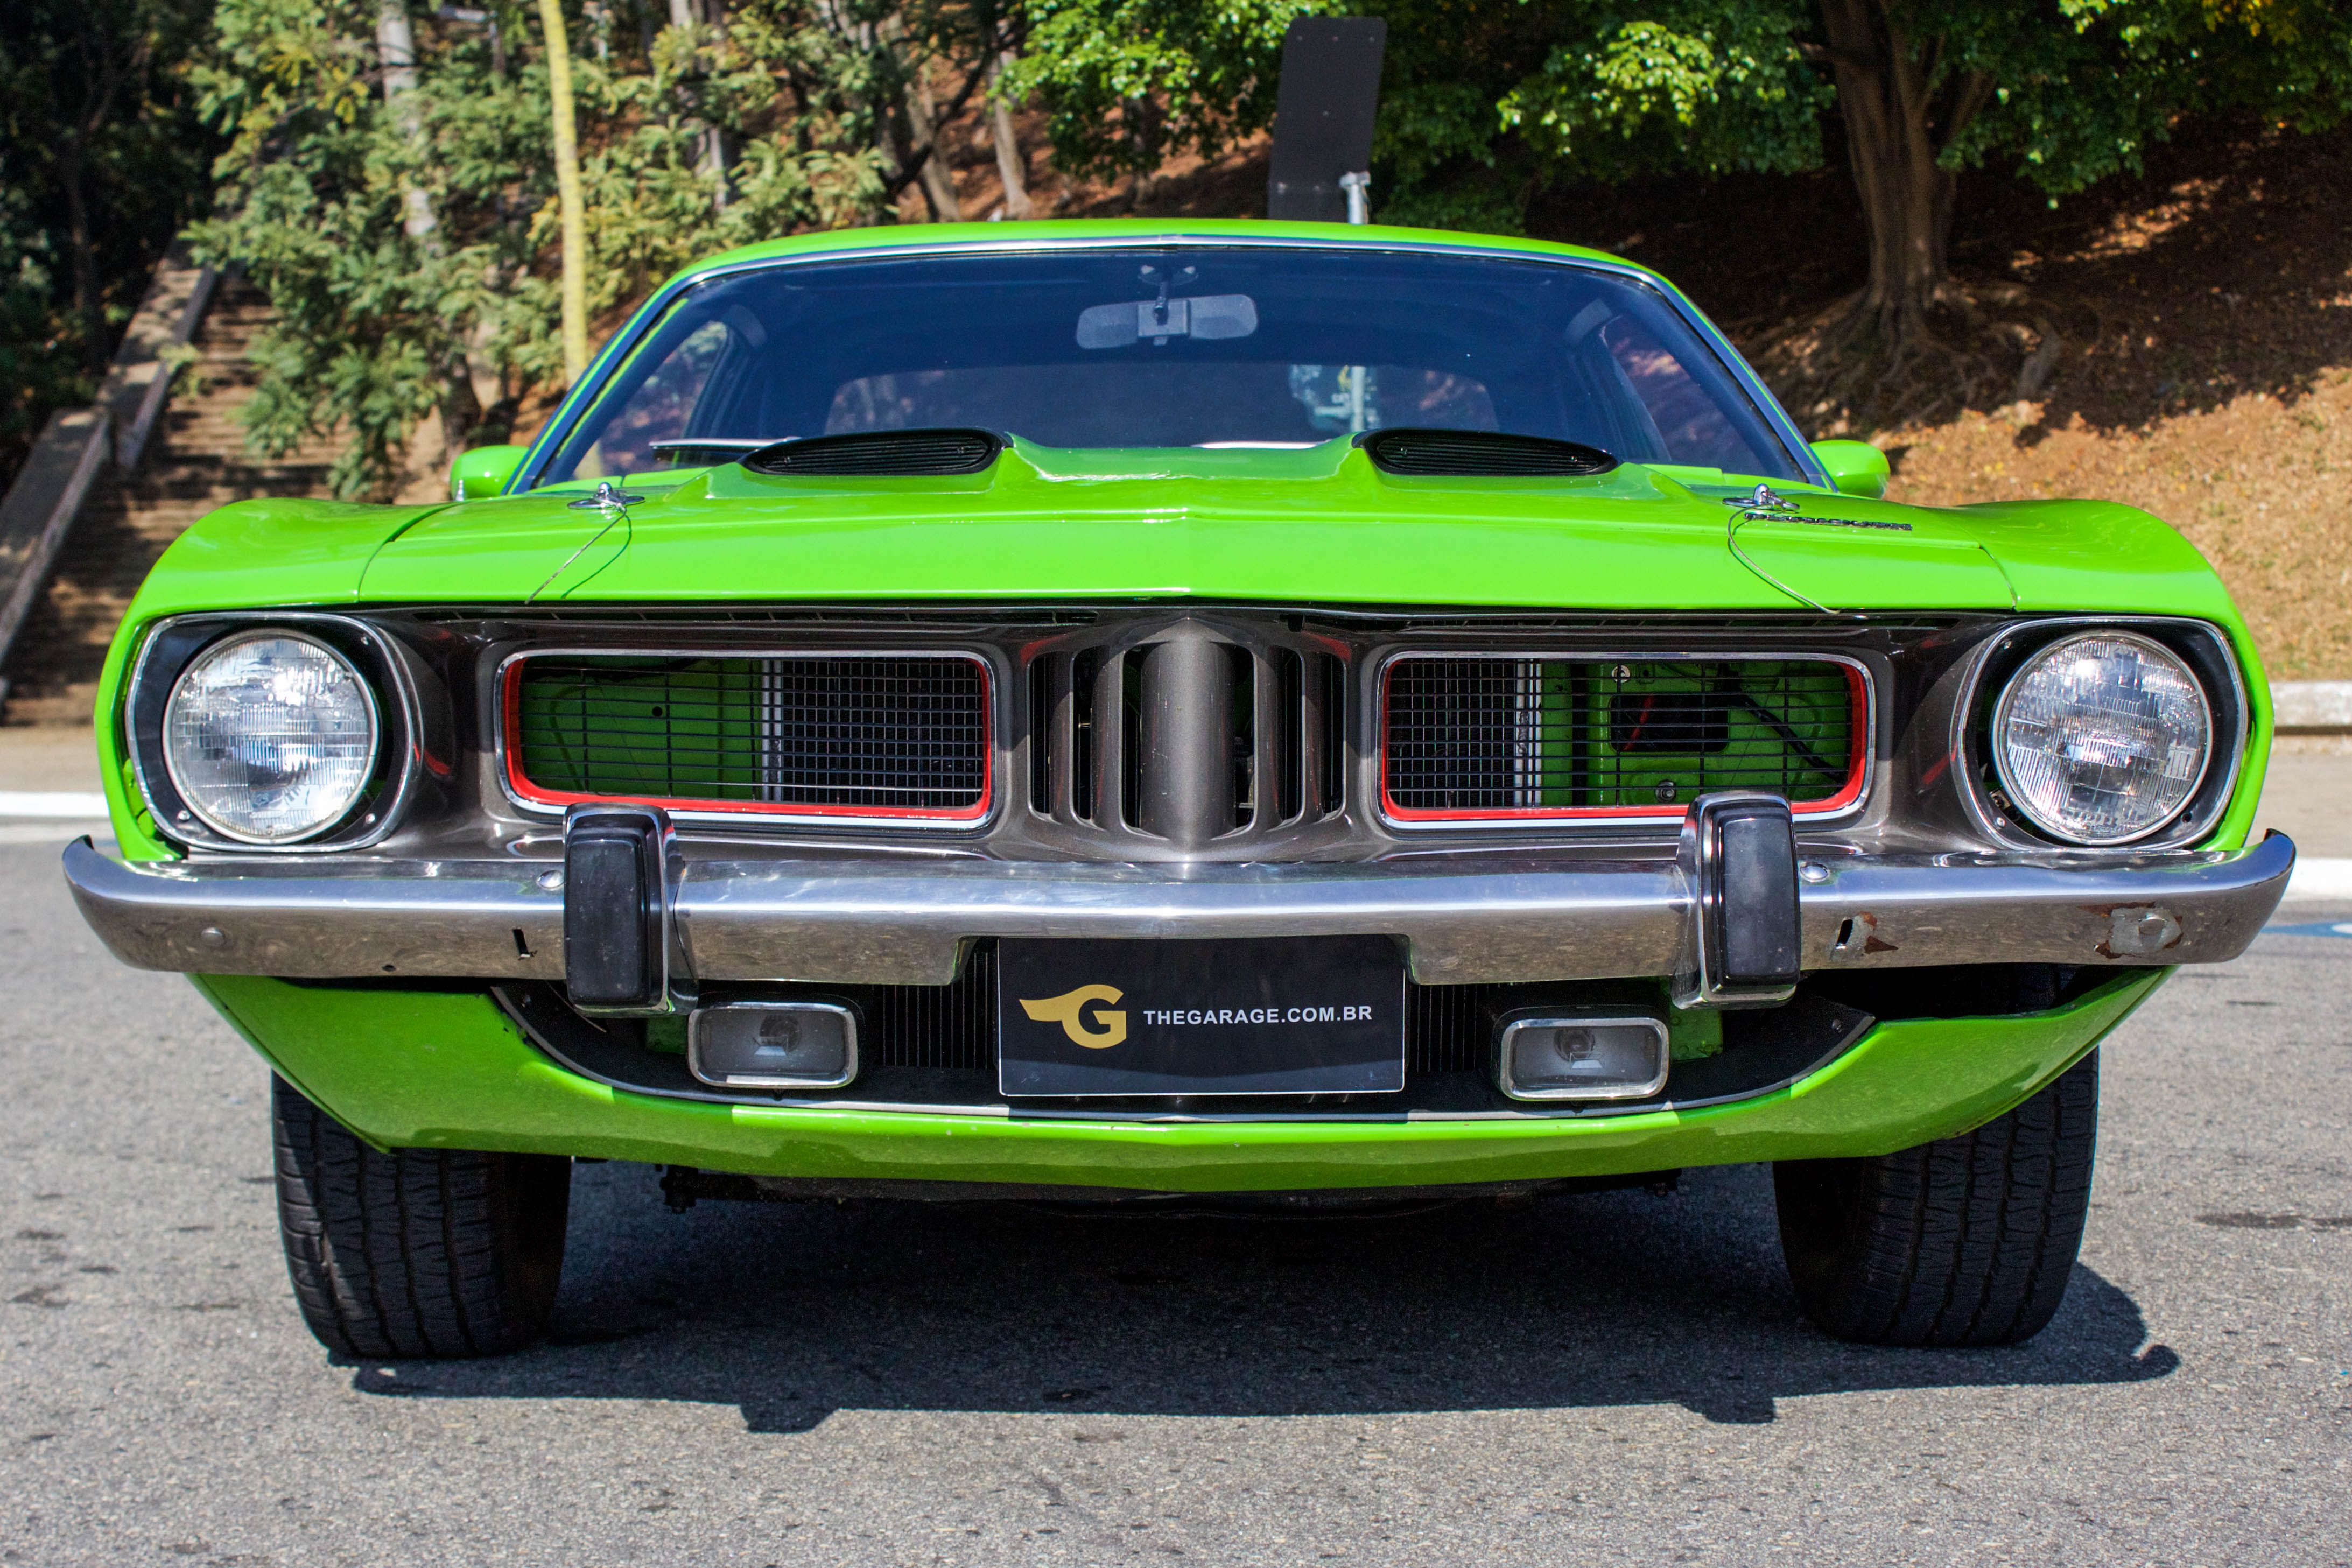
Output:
x=1309 y=525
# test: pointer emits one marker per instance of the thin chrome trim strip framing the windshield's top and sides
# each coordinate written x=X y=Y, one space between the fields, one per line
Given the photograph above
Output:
x=641 y=326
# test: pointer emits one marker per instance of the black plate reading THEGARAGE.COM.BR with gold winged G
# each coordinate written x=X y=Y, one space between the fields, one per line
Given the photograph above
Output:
x=1281 y=1017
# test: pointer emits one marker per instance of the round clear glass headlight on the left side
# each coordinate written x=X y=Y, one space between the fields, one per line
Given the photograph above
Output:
x=269 y=737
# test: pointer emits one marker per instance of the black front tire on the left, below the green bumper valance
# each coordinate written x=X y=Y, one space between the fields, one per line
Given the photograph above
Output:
x=417 y=1254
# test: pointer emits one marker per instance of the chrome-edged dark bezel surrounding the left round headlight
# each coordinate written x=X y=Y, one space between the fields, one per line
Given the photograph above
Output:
x=387 y=671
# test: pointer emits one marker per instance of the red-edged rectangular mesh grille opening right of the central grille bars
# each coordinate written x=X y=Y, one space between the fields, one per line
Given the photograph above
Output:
x=1532 y=735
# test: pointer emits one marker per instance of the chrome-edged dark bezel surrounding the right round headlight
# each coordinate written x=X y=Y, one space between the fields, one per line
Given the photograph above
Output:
x=2207 y=655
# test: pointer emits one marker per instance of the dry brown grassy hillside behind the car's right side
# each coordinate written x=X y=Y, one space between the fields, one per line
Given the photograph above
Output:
x=2203 y=366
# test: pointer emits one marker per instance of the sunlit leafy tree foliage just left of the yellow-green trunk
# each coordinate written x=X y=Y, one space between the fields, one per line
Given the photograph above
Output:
x=380 y=314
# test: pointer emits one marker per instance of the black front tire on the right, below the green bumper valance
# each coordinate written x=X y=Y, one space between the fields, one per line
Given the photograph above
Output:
x=1958 y=1242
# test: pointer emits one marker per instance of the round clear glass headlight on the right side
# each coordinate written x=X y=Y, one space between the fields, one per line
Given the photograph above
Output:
x=2102 y=739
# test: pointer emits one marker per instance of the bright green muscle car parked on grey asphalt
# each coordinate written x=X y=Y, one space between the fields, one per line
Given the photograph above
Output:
x=1259 y=716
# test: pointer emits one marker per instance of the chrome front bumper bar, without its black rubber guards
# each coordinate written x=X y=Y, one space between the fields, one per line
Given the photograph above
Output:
x=1490 y=920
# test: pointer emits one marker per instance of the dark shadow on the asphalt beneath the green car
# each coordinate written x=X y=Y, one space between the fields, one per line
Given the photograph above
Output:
x=799 y=1311
